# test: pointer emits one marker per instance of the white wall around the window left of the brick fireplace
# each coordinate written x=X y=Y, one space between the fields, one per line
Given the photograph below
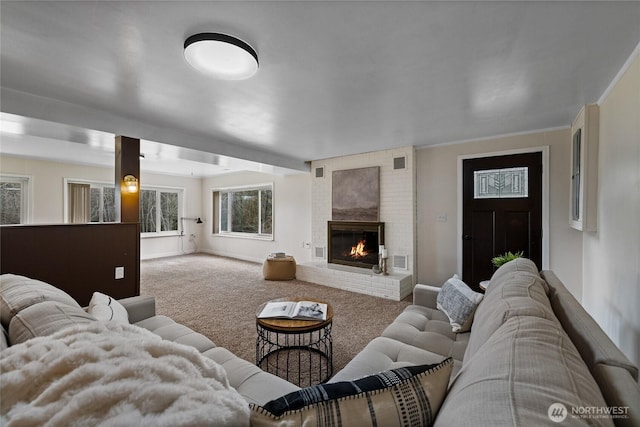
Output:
x=291 y=215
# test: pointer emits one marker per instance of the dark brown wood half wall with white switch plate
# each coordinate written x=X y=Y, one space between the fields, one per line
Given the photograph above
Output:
x=77 y=258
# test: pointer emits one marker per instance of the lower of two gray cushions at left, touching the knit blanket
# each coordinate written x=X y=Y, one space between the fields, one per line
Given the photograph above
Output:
x=43 y=319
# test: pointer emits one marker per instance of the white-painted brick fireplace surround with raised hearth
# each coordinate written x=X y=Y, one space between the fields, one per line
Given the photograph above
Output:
x=397 y=210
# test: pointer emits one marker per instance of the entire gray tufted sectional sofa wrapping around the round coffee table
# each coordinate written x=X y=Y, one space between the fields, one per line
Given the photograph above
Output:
x=532 y=351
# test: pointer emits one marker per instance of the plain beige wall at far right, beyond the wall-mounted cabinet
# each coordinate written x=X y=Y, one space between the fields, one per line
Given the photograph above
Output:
x=611 y=257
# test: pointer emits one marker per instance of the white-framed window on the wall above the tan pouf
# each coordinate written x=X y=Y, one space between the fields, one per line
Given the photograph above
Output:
x=245 y=211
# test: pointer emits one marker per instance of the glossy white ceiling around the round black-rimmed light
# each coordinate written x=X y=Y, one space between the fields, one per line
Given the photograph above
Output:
x=335 y=77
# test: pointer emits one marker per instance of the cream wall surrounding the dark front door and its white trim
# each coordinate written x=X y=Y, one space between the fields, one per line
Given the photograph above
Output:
x=437 y=191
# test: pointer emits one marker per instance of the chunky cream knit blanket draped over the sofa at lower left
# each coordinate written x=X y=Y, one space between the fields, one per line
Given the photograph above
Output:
x=114 y=375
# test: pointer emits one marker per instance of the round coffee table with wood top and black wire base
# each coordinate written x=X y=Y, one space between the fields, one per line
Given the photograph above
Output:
x=300 y=351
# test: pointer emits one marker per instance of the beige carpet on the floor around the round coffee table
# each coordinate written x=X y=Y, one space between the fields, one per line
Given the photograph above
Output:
x=218 y=297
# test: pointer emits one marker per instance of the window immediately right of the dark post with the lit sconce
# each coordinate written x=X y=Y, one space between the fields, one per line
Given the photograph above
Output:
x=160 y=210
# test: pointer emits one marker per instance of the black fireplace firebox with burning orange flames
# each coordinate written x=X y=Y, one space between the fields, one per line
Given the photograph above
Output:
x=354 y=243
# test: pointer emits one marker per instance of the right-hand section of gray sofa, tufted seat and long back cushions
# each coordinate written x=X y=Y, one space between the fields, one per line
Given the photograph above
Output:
x=531 y=345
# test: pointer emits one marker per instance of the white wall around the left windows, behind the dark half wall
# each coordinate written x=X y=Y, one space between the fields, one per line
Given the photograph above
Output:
x=47 y=190
